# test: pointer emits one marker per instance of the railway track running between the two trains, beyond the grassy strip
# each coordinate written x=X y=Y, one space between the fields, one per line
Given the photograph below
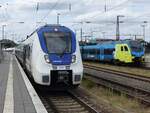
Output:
x=129 y=84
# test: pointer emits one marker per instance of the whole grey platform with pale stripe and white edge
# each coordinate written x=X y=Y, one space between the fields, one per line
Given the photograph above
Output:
x=16 y=92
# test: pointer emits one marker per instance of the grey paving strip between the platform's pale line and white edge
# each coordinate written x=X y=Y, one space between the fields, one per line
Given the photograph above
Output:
x=22 y=99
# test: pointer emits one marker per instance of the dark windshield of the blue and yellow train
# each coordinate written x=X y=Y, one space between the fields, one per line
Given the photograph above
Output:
x=136 y=46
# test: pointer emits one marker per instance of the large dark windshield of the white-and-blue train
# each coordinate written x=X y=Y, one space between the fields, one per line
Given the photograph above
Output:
x=58 y=43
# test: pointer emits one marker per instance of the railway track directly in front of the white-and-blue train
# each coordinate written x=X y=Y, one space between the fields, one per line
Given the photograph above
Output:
x=65 y=102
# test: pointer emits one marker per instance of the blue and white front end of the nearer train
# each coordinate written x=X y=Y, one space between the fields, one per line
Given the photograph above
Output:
x=61 y=64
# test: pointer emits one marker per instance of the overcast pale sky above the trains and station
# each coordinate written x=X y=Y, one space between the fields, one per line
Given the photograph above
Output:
x=100 y=13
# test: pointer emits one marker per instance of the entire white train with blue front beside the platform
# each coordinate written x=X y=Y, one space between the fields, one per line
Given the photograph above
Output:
x=51 y=55
